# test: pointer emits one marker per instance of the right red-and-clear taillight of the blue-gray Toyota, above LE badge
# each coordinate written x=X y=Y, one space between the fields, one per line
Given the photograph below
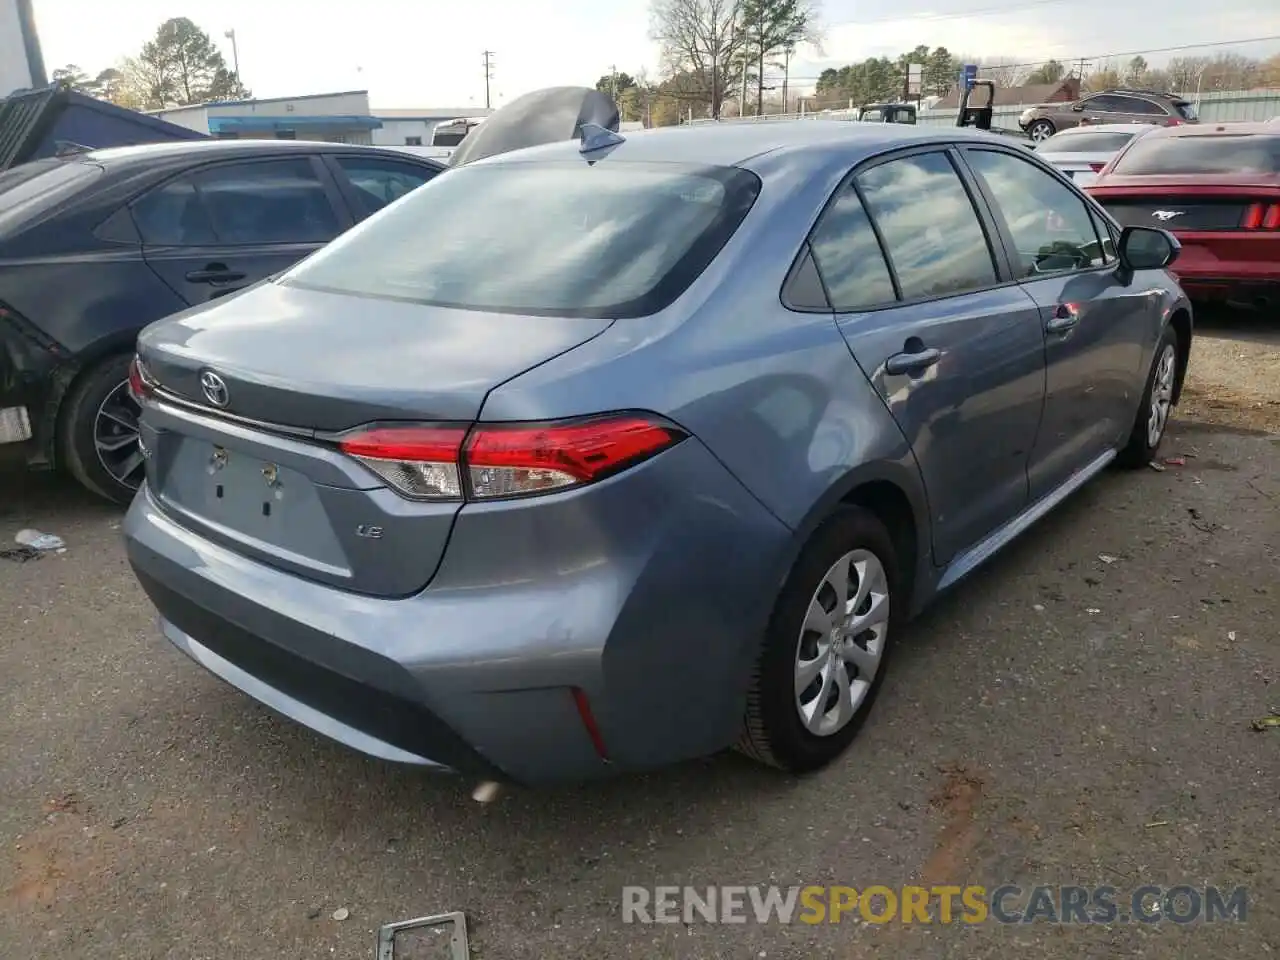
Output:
x=493 y=461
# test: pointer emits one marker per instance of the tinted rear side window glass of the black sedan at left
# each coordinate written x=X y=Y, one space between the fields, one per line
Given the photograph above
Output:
x=277 y=202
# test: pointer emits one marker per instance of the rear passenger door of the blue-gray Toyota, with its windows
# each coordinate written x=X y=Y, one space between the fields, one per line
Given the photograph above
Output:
x=954 y=351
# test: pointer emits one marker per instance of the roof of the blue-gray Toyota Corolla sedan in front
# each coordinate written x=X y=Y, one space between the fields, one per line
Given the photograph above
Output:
x=737 y=144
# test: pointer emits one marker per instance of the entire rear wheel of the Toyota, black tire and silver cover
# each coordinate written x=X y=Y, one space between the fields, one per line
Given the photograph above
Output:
x=825 y=656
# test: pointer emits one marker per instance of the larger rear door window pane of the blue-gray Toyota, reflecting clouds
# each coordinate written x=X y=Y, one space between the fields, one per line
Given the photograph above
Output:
x=932 y=234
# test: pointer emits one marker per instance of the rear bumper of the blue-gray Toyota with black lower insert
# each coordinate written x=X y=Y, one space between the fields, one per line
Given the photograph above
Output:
x=656 y=618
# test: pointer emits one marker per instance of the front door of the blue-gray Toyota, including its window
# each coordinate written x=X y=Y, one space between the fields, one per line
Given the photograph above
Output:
x=1096 y=328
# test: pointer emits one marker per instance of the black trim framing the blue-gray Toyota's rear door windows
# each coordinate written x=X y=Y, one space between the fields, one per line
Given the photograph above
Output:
x=1004 y=272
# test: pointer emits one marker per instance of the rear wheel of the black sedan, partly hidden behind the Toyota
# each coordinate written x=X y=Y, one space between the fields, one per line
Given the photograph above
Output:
x=100 y=432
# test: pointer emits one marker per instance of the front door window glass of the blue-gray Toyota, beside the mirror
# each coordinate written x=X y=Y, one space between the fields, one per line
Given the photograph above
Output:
x=1050 y=225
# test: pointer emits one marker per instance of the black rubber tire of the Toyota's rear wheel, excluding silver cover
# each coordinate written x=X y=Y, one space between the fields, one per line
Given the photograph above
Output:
x=774 y=733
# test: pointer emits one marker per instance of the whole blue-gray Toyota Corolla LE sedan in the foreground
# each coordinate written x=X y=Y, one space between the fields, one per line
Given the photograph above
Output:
x=606 y=454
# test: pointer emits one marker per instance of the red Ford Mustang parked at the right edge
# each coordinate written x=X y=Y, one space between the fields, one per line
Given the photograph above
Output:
x=1218 y=189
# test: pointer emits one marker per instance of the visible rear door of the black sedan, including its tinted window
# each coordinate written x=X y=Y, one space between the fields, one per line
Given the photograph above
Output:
x=225 y=227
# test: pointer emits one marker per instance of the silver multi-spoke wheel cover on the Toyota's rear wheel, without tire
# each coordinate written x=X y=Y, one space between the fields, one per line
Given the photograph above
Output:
x=842 y=643
